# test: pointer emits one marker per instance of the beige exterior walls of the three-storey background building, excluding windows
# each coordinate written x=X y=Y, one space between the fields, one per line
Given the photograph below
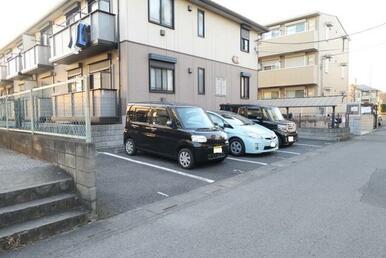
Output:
x=325 y=68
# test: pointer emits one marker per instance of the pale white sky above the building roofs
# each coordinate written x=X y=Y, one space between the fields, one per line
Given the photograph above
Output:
x=367 y=50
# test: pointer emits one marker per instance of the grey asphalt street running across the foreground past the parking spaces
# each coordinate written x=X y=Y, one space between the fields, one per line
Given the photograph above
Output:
x=331 y=203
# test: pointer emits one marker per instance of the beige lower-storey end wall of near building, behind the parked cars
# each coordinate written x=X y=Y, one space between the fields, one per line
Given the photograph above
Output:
x=135 y=78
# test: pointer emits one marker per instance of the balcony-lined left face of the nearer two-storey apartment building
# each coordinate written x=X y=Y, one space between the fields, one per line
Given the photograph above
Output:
x=48 y=52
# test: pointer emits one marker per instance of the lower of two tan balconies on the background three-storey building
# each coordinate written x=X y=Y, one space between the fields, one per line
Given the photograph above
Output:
x=305 y=75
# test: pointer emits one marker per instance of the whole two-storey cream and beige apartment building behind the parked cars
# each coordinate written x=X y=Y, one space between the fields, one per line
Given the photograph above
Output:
x=137 y=50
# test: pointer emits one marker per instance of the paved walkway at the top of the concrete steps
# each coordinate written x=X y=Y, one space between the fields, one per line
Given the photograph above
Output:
x=19 y=171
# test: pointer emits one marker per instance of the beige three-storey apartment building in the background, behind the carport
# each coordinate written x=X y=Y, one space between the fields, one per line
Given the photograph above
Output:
x=304 y=56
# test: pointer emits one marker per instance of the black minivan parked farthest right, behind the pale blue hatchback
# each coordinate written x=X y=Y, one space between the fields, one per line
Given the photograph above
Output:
x=269 y=117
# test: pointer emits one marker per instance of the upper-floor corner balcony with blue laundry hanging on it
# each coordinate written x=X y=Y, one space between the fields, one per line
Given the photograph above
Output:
x=102 y=38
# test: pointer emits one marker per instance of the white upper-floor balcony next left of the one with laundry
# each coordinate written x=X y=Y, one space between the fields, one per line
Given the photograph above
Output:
x=36 y=59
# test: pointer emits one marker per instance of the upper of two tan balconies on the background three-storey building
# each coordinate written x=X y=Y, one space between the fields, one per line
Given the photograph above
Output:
x=279 y=46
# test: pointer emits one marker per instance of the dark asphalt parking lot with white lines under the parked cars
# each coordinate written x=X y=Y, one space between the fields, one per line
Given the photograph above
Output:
x=126 y=183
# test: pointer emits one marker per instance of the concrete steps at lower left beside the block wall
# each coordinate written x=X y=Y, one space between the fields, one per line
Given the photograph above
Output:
x=30 y=213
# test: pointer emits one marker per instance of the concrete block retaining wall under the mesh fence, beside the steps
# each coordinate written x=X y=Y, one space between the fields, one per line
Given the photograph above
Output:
x=75 y=157
